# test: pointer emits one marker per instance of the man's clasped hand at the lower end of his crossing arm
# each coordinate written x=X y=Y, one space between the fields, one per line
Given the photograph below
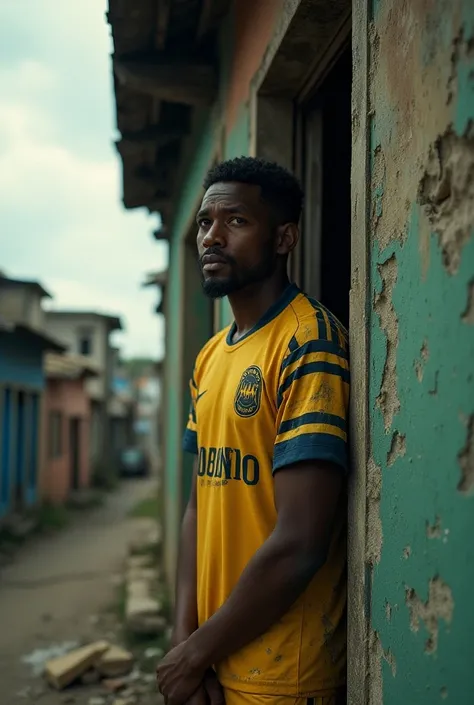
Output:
x=178 y=675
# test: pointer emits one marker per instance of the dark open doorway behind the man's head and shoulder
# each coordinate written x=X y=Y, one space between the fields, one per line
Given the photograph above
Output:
x=326 y=261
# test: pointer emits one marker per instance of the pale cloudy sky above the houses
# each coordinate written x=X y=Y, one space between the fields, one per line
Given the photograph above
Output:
x=61 y=218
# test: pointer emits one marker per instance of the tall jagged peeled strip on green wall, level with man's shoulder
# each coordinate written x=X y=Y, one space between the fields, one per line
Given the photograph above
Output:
x=387 y=399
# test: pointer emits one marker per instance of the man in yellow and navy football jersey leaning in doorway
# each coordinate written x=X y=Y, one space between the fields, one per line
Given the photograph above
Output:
x=261 y=585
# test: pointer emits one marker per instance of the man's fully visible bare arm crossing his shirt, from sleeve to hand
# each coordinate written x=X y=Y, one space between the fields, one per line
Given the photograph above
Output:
x=306 y=497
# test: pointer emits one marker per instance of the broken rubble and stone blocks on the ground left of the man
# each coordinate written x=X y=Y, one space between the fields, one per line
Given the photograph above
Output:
x=103 y=672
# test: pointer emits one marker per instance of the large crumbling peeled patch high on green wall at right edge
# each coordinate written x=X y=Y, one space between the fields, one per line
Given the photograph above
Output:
x=446 y=193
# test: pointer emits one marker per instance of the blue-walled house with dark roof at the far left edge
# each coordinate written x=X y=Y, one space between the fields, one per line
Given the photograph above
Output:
x=22 y=344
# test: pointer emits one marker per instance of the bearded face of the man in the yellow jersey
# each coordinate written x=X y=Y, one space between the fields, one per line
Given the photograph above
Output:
x=236 y=243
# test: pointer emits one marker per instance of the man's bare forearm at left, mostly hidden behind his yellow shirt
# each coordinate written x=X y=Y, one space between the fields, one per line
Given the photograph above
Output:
x=186 y=618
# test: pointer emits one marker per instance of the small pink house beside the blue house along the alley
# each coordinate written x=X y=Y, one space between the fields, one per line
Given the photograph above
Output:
x=66 y=424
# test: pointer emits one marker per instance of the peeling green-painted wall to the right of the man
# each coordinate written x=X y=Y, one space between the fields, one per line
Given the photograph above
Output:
x=420 y=499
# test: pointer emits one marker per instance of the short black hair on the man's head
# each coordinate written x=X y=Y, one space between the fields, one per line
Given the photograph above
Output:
x=279 y=188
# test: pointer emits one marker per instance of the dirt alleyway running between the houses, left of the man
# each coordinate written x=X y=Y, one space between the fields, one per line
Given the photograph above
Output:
x=61 y=588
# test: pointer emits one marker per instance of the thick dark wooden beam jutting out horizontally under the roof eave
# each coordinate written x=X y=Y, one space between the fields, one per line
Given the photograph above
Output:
x=190 y=82
